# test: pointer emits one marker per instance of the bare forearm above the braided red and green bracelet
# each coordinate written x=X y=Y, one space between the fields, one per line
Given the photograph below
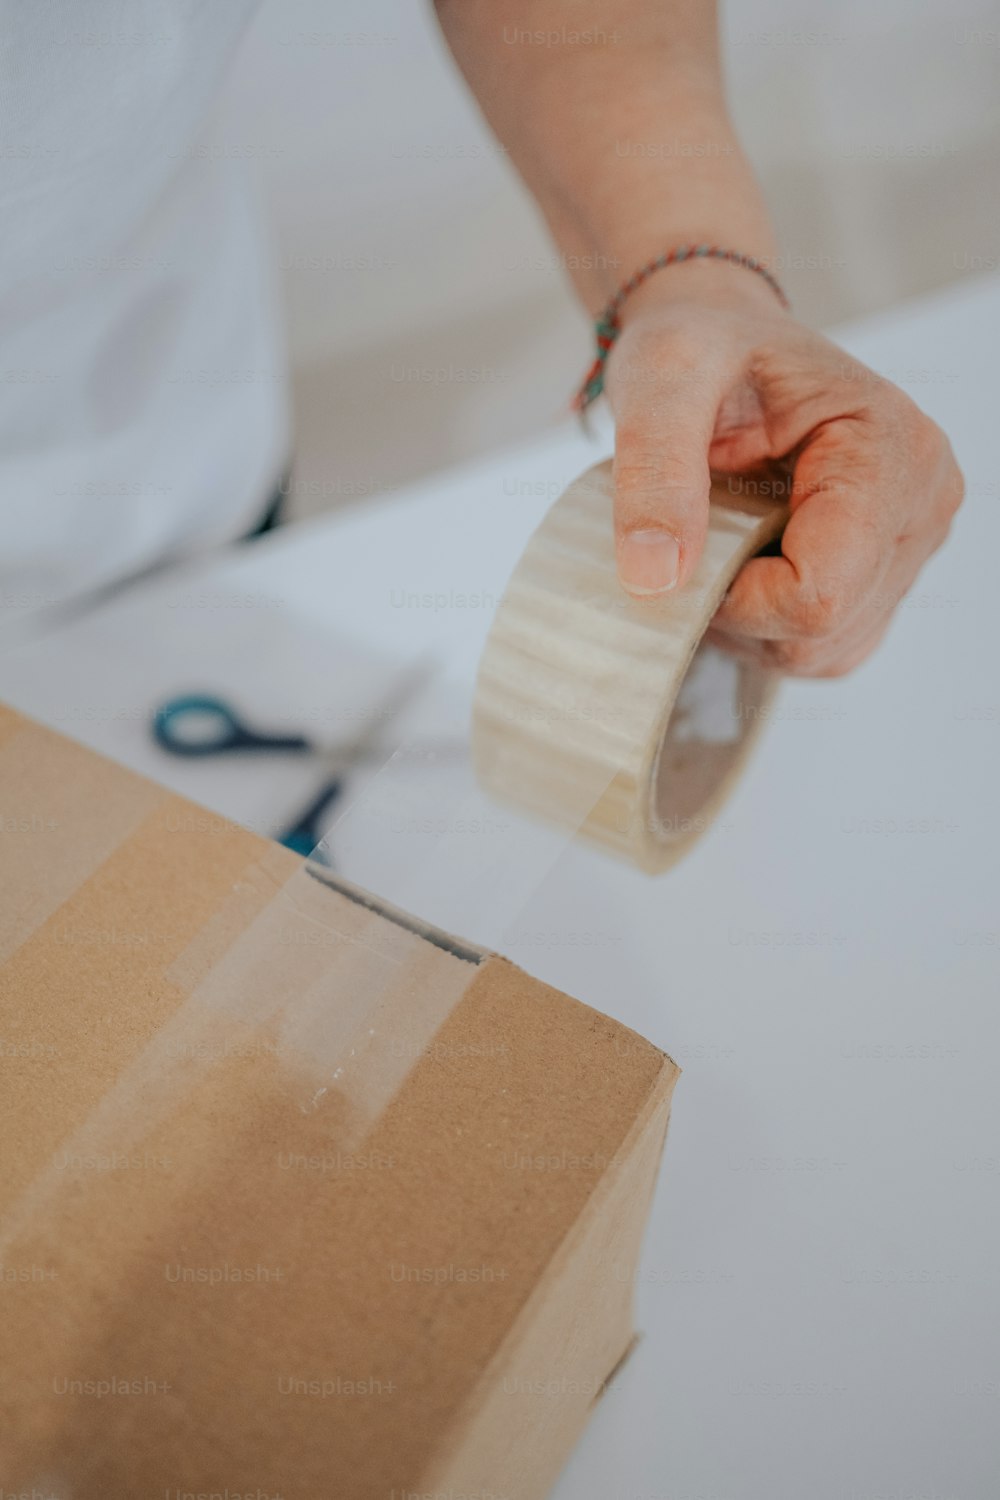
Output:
x=614 y=113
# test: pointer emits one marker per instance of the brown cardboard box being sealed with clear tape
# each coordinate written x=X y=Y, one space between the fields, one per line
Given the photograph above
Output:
x=296 y=1198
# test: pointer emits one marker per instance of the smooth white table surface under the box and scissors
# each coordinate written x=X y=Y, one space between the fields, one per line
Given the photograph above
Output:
x=819 y=1292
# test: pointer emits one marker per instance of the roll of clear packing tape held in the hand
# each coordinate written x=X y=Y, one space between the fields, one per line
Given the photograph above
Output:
x=608 y=715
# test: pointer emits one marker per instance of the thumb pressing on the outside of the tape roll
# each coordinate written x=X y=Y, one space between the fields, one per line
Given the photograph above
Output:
x=665 y=421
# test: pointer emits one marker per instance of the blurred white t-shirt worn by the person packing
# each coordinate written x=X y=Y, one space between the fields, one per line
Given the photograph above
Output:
x=143 y=395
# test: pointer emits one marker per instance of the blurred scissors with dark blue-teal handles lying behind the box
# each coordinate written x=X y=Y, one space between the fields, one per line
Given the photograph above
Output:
x=199 y=725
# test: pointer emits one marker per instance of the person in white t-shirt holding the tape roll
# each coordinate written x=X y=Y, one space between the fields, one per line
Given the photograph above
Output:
x=145 y=410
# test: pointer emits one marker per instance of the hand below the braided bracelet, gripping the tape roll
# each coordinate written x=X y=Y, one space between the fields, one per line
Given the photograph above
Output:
x=714 y=376
